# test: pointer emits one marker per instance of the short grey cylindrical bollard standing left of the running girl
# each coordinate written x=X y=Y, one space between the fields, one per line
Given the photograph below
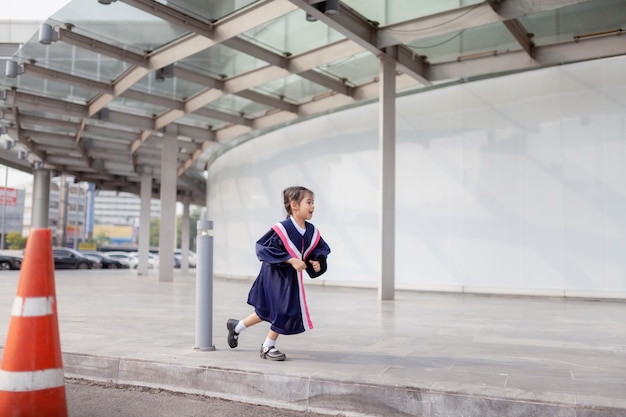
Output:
x=204 y=286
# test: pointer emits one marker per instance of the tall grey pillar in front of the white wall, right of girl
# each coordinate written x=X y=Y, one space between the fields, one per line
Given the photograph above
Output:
x=387 y=140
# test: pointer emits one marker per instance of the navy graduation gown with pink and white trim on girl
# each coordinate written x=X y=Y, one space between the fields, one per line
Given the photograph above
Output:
x=278 y=294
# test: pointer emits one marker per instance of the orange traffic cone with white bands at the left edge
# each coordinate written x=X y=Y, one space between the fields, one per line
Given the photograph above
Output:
x=31 y=373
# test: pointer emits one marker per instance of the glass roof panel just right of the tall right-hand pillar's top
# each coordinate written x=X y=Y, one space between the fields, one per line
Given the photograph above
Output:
x=495 y=38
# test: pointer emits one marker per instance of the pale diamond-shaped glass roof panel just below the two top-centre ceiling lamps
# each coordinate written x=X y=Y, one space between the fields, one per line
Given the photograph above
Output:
x=292 y=34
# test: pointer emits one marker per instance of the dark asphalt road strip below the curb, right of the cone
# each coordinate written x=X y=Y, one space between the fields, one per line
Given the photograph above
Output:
x=92 y=399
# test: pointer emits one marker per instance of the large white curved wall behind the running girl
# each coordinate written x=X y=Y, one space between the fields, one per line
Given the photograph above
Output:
x=515 y=185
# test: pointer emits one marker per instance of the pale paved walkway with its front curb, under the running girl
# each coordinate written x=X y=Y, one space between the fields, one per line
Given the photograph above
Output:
x=423 y=354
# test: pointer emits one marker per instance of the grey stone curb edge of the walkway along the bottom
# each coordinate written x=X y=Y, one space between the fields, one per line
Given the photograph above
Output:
x=327 y=396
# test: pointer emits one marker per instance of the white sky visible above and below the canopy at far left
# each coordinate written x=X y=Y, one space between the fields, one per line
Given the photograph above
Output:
x=26 y=10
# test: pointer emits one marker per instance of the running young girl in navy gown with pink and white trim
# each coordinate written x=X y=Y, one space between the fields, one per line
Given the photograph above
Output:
x=277 y=295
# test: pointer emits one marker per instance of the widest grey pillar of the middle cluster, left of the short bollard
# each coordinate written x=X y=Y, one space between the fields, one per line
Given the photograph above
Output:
x=167 y=226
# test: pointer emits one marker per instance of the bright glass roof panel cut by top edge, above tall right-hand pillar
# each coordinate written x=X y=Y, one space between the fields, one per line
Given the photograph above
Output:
x=388 y=12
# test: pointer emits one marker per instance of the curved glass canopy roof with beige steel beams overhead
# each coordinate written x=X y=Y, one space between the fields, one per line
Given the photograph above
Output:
x=103 y=81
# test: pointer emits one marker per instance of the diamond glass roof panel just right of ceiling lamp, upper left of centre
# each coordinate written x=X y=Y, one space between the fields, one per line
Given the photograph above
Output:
x=220 y=60
